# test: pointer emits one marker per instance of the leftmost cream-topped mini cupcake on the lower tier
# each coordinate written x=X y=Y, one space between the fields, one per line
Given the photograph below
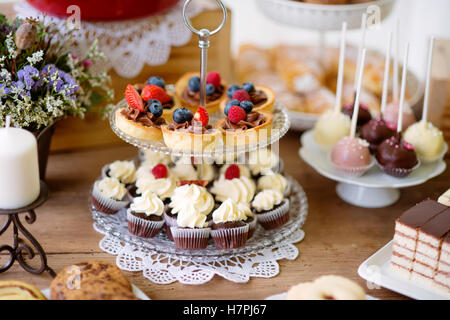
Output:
x=109 y=195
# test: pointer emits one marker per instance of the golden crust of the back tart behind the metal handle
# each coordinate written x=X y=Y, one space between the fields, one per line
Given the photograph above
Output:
x=181 y=99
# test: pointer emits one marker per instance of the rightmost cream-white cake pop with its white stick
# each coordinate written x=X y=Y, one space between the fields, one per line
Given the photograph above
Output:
x=424 y=136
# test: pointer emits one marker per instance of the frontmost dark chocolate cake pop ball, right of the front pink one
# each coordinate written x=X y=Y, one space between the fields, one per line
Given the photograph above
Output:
x=396 y=157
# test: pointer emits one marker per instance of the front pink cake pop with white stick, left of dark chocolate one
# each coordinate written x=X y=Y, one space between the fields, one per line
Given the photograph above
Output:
x=351 y=155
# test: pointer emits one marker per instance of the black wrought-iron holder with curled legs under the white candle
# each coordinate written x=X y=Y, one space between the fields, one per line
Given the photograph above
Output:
x=19 y=250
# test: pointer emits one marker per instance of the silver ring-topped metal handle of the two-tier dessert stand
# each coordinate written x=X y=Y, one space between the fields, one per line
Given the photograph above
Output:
x=203 y=44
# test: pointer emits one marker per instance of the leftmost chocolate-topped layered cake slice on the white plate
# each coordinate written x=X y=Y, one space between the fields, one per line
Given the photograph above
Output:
x=406 y=234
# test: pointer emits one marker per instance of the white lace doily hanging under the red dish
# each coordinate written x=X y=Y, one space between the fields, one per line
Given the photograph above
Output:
x=131 y=44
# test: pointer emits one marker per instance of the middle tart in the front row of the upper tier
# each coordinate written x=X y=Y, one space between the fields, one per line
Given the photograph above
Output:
x=191 y=132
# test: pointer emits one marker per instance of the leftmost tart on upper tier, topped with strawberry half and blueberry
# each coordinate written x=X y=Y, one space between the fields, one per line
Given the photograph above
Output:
x=139 y=120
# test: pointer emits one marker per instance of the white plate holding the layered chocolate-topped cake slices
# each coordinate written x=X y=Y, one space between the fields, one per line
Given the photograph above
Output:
x=376 y=270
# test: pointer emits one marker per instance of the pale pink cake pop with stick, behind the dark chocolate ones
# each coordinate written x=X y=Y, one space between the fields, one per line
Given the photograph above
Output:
x=390 y=115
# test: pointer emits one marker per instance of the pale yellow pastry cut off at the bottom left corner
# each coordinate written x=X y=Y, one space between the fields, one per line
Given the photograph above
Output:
x=19 y=290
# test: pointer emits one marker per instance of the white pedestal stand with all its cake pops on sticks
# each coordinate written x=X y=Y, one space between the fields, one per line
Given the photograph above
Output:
x=372 y=158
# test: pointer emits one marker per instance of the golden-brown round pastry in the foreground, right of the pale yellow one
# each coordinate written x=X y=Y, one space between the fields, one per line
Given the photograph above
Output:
x=91 y=280
